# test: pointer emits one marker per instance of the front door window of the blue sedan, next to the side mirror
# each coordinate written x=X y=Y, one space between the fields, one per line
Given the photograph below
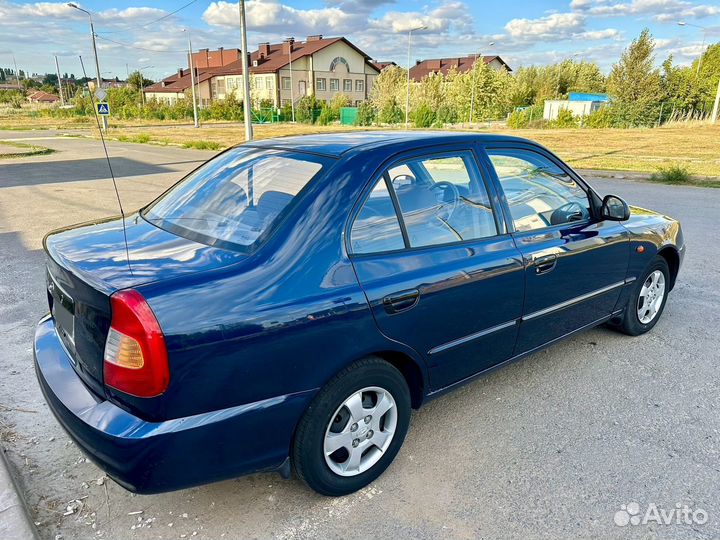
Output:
x=540 y=194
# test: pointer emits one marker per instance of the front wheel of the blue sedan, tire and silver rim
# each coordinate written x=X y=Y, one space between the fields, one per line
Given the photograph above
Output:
x=640 y=316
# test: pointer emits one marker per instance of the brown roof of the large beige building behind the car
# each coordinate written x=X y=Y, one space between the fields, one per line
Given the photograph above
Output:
x=272 y=58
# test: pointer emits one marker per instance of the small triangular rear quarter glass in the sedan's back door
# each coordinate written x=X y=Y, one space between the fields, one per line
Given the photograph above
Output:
x=376 y=227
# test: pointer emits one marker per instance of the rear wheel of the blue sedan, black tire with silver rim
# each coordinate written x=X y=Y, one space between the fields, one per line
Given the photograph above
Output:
x=368 y=385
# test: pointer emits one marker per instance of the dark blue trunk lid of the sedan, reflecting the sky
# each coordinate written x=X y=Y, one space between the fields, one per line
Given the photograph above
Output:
x=88 y=262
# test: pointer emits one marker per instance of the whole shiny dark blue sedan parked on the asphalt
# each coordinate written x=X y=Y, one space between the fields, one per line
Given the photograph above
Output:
x=288 y=303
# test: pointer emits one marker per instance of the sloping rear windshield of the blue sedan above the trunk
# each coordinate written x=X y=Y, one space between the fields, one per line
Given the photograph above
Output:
x=234 y=198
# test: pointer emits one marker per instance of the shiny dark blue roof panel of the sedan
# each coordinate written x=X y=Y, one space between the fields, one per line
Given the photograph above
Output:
x=337 y=144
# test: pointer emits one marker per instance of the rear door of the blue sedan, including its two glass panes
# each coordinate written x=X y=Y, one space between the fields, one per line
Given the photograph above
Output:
x=439 y=270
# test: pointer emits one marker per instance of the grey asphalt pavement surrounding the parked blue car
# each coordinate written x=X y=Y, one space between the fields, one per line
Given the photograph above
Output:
x=550 y=447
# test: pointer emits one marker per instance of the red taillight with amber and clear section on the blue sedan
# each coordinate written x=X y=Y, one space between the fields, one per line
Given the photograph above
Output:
x=135 y=354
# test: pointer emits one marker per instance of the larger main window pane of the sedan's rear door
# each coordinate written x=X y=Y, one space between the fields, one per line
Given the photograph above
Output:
x=442 y=199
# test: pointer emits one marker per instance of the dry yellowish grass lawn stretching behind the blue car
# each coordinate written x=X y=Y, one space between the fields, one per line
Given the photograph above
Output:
x=695 y=146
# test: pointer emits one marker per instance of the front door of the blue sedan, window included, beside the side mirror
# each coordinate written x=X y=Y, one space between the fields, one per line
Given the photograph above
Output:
x=575 y=264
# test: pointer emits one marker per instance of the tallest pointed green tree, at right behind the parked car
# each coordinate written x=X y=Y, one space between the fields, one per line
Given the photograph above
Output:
x=636 y=85
